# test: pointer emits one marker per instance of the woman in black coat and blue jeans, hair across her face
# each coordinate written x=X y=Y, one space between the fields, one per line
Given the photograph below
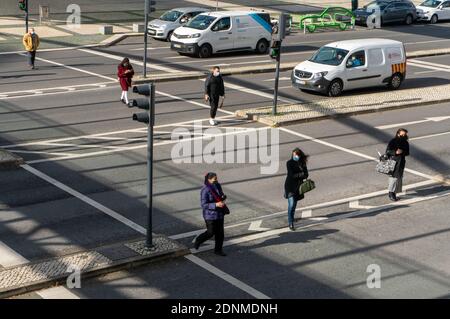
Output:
x=297 y=172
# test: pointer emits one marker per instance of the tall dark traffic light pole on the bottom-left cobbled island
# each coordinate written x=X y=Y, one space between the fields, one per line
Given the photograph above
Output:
x=151 y=113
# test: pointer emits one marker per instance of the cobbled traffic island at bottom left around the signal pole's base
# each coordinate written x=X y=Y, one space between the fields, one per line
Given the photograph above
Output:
x=50 y=272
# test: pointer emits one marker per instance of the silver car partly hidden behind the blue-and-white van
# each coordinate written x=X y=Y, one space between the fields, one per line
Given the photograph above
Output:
x=163 y=27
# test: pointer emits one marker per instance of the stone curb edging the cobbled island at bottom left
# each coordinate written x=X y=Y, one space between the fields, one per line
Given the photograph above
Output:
x=122 y=264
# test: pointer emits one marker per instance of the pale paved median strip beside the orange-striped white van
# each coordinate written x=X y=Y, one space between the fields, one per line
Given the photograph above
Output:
x=346 y=105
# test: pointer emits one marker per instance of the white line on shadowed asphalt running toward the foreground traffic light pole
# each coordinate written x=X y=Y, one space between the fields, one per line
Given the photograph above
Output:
x=85 y=199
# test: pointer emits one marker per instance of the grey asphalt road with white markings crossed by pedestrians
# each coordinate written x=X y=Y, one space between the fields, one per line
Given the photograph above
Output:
x=70 y=126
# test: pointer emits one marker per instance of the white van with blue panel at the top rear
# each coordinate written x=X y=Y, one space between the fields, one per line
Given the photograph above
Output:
x=223 y=31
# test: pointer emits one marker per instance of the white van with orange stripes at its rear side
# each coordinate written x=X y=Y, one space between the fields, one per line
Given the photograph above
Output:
x=352 y=64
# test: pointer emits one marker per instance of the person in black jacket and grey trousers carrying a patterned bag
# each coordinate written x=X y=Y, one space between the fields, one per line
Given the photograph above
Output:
x=398 y=149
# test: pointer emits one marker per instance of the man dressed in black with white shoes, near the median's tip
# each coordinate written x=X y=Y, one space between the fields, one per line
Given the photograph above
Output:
x=214 y=90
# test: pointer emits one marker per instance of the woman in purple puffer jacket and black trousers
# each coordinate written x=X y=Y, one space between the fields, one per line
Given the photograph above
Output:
x=214 y=210
